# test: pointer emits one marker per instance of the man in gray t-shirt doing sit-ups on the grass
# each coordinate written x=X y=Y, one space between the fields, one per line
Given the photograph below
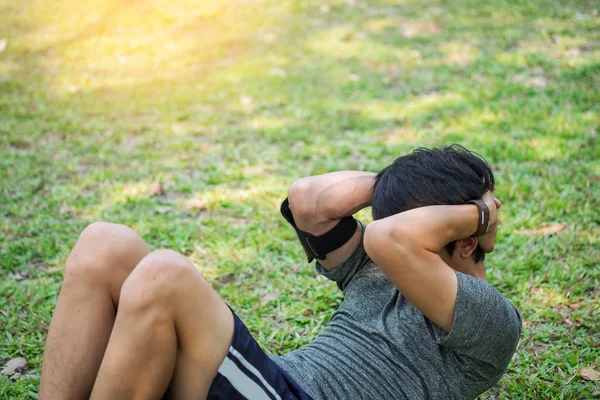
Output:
x=418 y=320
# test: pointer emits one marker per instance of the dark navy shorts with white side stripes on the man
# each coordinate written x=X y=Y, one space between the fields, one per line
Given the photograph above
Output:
x=247 y=373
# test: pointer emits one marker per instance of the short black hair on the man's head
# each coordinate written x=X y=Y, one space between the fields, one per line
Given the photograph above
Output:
x=446 y=175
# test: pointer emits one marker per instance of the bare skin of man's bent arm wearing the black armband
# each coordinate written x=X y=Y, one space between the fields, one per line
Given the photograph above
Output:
x=319 y=202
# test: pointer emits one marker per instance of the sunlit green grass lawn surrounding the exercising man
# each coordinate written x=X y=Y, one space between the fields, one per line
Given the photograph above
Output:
x=227 y=103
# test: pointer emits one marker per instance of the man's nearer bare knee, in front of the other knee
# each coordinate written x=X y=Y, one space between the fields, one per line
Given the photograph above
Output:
x=157 y=281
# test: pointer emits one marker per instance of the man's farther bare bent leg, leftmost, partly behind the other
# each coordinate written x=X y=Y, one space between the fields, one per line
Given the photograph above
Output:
x=103 y=257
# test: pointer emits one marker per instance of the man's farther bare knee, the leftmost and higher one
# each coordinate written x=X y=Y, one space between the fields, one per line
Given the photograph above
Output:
x=102 y=248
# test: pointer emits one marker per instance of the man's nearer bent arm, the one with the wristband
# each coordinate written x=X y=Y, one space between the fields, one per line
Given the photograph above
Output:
x=406 y=248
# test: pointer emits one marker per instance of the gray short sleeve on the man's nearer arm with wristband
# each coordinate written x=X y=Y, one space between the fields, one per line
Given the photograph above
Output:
x=486 y=329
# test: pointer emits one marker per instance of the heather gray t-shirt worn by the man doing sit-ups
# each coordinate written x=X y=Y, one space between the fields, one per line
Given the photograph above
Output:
x=378 y=346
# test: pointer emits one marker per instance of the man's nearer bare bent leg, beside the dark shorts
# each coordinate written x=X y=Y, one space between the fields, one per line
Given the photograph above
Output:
x=172 y=331
